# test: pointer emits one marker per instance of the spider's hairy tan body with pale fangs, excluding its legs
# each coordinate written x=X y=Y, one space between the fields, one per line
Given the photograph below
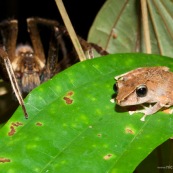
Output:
x=27 y=67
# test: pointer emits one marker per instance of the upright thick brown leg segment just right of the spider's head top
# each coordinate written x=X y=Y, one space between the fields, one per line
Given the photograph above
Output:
x=35 y=39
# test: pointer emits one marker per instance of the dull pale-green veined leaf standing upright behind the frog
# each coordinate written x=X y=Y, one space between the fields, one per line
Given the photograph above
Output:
x=118 y=27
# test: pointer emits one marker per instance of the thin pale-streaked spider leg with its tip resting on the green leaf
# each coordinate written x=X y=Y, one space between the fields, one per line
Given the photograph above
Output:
x=13 y=80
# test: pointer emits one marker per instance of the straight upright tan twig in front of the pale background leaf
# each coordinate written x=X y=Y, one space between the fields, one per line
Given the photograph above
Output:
x=146 y=26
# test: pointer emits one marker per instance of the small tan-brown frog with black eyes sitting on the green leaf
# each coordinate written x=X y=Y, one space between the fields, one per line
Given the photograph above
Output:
x=153 y=85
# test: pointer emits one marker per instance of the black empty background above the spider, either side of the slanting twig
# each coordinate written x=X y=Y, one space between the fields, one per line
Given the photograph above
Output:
x=81 y=12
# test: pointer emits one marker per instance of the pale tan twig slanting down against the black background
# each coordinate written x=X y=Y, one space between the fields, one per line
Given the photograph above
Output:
x=70 y=30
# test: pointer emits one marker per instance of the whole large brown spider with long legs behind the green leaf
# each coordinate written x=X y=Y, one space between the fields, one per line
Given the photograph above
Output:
x=30 y=65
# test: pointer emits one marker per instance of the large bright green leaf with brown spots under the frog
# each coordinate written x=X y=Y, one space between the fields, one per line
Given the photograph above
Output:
x=73 y=125
